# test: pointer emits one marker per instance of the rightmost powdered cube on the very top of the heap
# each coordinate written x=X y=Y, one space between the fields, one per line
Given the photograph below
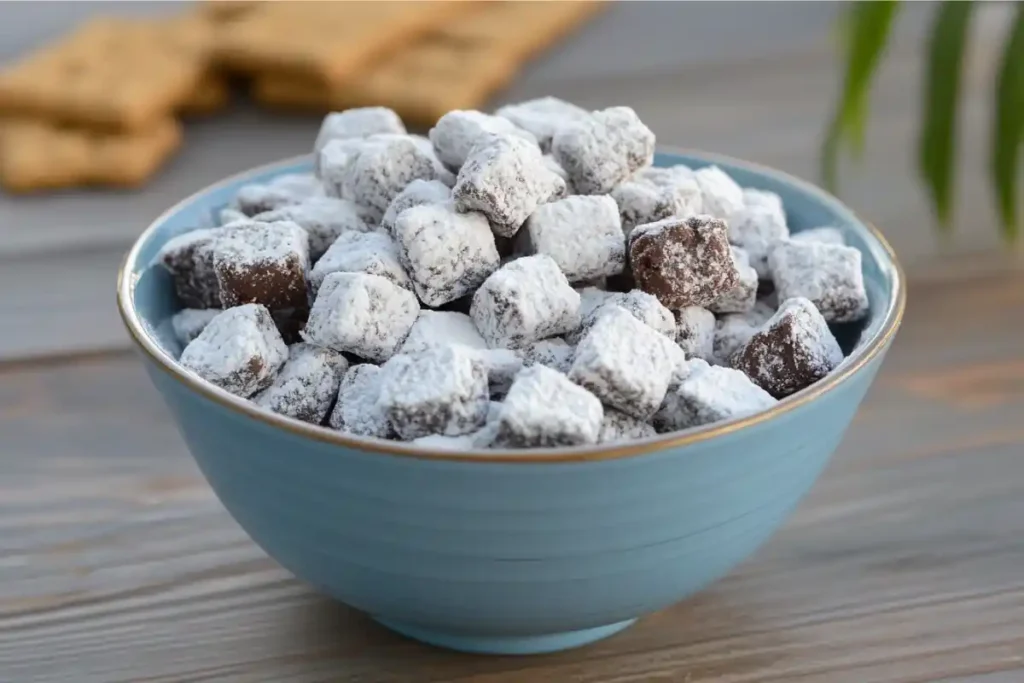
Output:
x=602 y=151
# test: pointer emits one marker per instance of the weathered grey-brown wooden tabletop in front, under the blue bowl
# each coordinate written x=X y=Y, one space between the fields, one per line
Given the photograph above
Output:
x=905 y=566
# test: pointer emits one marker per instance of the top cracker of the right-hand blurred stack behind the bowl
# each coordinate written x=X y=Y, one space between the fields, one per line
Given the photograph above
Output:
x=328 y=42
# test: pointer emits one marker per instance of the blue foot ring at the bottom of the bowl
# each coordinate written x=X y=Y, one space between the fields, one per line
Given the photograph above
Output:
x=552 y=643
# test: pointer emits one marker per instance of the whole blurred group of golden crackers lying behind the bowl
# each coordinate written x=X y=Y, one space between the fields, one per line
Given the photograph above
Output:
x=101 y=107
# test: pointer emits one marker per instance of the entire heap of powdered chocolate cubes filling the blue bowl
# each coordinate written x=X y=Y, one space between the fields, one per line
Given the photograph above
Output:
x=519 y=280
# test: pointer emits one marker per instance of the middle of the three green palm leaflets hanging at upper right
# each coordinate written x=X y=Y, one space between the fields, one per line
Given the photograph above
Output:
x=937 y=146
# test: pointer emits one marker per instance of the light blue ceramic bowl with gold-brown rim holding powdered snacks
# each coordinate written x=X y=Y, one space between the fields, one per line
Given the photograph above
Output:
x=514 y=551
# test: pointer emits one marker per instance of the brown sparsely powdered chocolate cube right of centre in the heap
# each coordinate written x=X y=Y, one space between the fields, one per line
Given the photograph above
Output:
x=684 y=262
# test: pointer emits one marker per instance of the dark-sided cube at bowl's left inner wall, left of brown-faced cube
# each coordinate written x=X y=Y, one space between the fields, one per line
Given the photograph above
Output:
x=189 y=259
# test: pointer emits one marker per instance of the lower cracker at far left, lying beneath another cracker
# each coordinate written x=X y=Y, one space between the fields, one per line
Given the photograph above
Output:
x=37 y=156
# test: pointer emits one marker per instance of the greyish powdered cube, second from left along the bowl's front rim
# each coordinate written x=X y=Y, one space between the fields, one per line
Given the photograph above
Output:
x=307 y=386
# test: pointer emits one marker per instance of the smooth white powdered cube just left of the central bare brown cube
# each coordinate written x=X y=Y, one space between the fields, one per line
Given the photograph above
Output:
x=583 y=235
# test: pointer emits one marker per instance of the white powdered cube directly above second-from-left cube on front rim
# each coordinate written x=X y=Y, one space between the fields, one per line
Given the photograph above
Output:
x=367 y=316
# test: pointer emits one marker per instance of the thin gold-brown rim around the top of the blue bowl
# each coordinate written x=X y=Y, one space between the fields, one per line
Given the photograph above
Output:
x=893 y=317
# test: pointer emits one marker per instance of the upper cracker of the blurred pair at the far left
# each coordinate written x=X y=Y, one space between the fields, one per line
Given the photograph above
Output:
x=113 y=73
